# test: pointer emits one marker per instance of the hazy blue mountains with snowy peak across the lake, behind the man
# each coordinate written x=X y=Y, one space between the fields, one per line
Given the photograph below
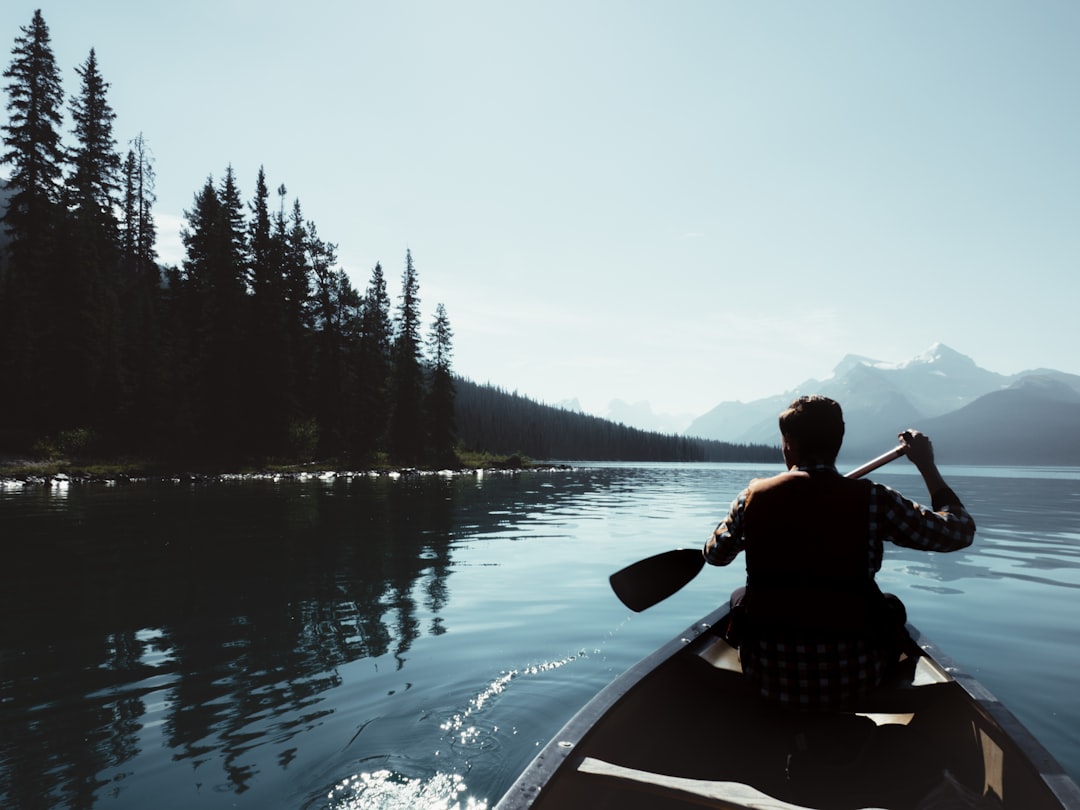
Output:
x=974 y=415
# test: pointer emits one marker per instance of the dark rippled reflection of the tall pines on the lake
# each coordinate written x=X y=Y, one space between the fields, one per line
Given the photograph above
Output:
x=211 y=619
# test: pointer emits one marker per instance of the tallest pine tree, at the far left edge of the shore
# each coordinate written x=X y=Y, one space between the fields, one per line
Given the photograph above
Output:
x=33 y=150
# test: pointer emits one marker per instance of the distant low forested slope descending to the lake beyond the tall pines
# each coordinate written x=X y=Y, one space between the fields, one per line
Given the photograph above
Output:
x=505 y=423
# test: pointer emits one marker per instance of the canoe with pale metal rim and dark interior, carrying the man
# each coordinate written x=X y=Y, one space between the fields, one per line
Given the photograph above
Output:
x=680 y=730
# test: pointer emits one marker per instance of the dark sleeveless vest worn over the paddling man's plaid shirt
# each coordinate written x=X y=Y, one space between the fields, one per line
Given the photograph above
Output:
x=808 y=570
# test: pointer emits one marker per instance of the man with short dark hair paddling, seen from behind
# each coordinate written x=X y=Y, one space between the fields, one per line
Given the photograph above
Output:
x=814 y=630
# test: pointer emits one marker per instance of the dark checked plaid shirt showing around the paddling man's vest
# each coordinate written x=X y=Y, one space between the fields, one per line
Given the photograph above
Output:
x=804 y=674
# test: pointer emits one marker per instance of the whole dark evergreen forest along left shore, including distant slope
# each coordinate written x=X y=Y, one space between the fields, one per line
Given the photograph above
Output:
x=258 y=347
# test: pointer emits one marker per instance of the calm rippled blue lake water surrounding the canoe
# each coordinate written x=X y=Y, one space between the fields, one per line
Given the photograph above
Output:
x=362 y=643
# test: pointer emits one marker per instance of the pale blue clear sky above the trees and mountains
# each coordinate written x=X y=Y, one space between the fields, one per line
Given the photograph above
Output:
x=678 y=202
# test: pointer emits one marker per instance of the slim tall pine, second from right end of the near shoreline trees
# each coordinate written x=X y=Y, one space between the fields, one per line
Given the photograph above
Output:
x=407 y=417
